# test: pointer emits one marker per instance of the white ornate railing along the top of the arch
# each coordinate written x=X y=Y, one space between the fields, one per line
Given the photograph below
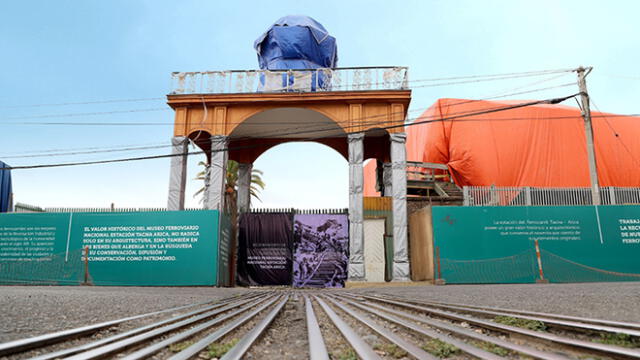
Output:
x=305 y=80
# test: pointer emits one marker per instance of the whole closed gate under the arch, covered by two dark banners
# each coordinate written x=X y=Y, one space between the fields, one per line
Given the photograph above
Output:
x=301 y=248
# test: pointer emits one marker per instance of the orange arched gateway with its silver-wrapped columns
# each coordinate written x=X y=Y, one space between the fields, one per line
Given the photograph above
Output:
x=243 y=126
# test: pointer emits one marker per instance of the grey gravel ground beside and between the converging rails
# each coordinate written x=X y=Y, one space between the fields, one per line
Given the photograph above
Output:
x=35 y=310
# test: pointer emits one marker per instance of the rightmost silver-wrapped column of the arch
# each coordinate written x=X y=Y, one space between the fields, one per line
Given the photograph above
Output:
x=399 y=188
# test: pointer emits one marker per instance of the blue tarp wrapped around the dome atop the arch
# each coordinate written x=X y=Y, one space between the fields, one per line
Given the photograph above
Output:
x=296 y=42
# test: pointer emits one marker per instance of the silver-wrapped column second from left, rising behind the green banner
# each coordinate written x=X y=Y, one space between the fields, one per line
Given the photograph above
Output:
x=217 y=173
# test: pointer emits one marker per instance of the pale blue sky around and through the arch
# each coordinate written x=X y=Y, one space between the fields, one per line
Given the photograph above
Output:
x=57 y=56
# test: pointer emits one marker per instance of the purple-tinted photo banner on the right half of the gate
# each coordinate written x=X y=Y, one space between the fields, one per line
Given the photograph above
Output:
x=321 y=250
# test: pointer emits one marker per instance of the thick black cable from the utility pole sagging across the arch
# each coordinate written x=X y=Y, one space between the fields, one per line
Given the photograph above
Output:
x=515 y=106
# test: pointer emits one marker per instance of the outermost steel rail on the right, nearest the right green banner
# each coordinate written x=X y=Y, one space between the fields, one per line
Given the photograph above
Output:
x=545 y=319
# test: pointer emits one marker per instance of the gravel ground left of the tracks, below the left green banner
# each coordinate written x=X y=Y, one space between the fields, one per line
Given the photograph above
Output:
x=34 y=310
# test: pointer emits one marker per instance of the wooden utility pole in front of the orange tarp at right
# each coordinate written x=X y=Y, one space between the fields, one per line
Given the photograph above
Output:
x=588 y=132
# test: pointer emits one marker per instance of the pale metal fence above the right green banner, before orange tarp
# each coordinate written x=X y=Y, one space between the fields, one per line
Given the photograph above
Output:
x=531 y=196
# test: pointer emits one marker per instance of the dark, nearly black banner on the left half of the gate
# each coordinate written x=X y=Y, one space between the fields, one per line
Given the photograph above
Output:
x=265 y=249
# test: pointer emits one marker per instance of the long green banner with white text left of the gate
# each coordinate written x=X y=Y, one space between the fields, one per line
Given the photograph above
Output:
x=129 y=248
